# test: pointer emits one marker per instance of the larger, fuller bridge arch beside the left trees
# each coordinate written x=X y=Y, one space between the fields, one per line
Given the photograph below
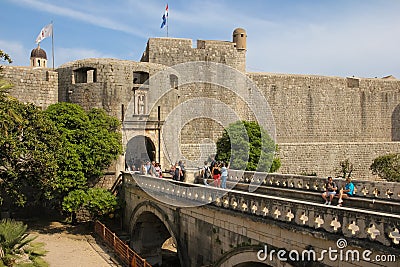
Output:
x=150 y=228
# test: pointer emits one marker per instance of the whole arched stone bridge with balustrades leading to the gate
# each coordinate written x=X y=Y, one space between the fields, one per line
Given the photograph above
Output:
x=283 y=222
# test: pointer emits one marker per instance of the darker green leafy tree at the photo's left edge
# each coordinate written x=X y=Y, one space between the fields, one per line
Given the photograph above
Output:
x=27 y=143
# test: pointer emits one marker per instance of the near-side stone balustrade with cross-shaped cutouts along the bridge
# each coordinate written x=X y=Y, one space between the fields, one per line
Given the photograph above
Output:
x=380 y=227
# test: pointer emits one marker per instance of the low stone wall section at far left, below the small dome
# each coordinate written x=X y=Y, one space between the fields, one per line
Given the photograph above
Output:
x=33 y=85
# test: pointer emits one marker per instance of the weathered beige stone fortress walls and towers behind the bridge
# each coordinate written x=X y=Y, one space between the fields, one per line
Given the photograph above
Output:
x=319 y=120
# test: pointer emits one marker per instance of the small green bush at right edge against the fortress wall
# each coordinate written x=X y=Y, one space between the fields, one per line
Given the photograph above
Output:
x=387 y=167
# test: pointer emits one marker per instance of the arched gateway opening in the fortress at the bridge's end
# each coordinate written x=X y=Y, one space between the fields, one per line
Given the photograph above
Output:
x=139 y=150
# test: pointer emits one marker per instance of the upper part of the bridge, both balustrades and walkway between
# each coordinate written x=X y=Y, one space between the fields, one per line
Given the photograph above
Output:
x=365 y=218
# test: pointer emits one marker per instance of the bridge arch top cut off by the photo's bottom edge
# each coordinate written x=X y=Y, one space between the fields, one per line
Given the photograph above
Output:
x=246 y=256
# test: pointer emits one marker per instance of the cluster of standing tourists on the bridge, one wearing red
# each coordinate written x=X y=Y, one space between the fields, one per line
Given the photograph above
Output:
x=218 y=171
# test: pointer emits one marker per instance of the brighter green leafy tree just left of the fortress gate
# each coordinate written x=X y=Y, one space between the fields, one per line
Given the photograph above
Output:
x=91 y=141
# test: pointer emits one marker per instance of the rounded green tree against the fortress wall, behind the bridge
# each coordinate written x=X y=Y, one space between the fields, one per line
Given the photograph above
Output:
x=243 y=146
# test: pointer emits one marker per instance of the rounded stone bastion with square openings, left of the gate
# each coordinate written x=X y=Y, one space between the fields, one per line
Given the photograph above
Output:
x=113 y=86
